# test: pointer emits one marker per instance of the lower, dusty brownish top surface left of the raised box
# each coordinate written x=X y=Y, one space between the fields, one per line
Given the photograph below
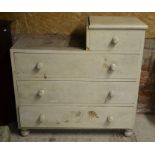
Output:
x=48 y=42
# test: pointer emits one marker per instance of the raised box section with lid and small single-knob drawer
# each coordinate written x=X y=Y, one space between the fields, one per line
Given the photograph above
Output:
x=116 y=34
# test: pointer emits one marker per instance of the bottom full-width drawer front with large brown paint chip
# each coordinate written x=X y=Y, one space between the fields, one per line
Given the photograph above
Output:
x=76 y=117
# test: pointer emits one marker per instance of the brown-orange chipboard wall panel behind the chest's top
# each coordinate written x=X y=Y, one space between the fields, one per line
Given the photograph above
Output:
x=66 y=23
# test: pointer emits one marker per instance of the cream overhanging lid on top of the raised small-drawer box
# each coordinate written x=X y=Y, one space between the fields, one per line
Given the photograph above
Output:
x=115 y=22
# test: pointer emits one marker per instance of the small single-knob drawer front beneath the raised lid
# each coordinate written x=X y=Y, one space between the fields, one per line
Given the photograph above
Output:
x=115 y=40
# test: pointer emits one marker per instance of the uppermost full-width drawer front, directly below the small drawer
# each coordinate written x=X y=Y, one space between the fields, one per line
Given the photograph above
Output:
x=74 y=65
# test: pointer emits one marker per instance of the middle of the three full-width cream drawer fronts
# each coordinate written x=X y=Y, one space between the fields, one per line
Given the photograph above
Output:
x=76 y=92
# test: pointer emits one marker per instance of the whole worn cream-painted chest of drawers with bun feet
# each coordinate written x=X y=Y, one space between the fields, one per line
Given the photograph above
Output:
x=64 y=87
